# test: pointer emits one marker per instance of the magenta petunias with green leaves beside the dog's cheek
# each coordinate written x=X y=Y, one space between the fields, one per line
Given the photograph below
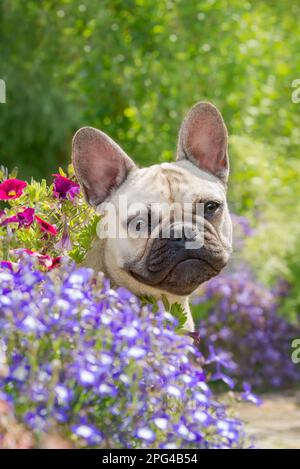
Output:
x=46 y=221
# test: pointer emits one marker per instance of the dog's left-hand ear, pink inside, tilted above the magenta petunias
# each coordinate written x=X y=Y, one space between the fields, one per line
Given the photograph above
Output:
x=100 y=164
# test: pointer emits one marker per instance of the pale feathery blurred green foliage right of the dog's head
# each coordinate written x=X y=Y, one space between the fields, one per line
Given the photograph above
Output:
x=269 y=200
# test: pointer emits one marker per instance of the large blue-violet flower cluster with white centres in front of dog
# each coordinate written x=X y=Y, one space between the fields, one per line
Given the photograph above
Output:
x=93 y=363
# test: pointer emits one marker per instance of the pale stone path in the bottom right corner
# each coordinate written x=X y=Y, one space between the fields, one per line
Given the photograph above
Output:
x=276 y=423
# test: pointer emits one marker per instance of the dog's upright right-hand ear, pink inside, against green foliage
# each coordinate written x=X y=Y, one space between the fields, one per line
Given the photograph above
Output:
x=203 y=140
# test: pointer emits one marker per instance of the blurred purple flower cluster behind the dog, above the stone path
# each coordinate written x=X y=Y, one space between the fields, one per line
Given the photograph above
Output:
x=238 y=316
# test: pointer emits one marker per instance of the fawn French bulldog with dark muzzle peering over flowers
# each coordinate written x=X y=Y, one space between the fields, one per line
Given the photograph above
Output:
x=152 y=264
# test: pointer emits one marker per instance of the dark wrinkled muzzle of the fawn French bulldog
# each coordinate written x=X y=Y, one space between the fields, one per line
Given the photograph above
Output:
x=179 y=263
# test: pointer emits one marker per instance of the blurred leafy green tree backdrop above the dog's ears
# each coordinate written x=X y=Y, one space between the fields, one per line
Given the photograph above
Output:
x=134 y=67
